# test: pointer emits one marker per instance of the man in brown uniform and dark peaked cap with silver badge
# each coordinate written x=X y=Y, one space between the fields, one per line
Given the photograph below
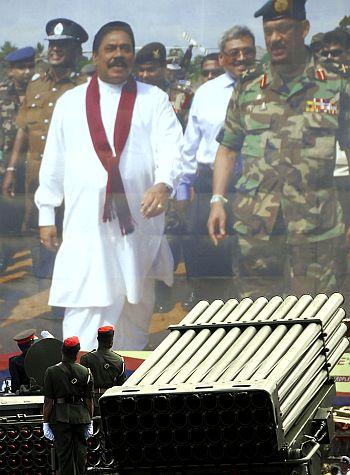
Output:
x=65 y=38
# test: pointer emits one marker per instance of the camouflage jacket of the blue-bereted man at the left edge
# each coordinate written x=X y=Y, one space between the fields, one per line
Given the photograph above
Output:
x=10 y=102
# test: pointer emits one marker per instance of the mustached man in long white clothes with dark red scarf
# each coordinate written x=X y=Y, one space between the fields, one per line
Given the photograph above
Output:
x=113 y=156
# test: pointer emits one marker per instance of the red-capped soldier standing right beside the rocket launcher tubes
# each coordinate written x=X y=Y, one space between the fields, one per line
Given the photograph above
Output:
x=107 y=367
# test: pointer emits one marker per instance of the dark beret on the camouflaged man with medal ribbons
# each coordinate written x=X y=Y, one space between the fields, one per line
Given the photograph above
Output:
x=277 y=9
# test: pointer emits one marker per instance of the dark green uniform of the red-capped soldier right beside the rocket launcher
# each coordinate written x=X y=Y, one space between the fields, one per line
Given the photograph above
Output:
x=107 y=368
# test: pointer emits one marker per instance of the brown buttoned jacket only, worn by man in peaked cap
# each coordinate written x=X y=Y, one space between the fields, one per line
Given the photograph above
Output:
x=36 y=111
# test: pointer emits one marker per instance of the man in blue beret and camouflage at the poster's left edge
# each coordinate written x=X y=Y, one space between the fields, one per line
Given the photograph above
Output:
x=20 y=68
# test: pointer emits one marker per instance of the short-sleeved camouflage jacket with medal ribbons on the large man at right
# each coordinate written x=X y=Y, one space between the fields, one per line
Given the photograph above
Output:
x=287 y=133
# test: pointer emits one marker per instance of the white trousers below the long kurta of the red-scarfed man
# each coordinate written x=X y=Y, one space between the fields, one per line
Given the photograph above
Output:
x=131 y=321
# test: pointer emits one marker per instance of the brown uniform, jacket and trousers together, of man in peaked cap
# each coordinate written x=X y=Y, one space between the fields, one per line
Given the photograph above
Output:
x=34 y=118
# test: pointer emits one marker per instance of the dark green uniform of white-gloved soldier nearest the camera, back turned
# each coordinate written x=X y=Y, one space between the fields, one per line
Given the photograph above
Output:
x=69 y=384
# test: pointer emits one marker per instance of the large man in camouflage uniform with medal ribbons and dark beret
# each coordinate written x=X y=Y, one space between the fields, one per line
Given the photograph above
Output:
x=285 y=120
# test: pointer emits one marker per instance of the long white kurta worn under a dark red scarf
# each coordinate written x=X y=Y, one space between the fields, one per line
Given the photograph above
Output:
x=95 y=264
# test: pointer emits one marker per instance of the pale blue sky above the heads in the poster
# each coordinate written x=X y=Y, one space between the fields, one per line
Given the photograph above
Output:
x=23 y=22
